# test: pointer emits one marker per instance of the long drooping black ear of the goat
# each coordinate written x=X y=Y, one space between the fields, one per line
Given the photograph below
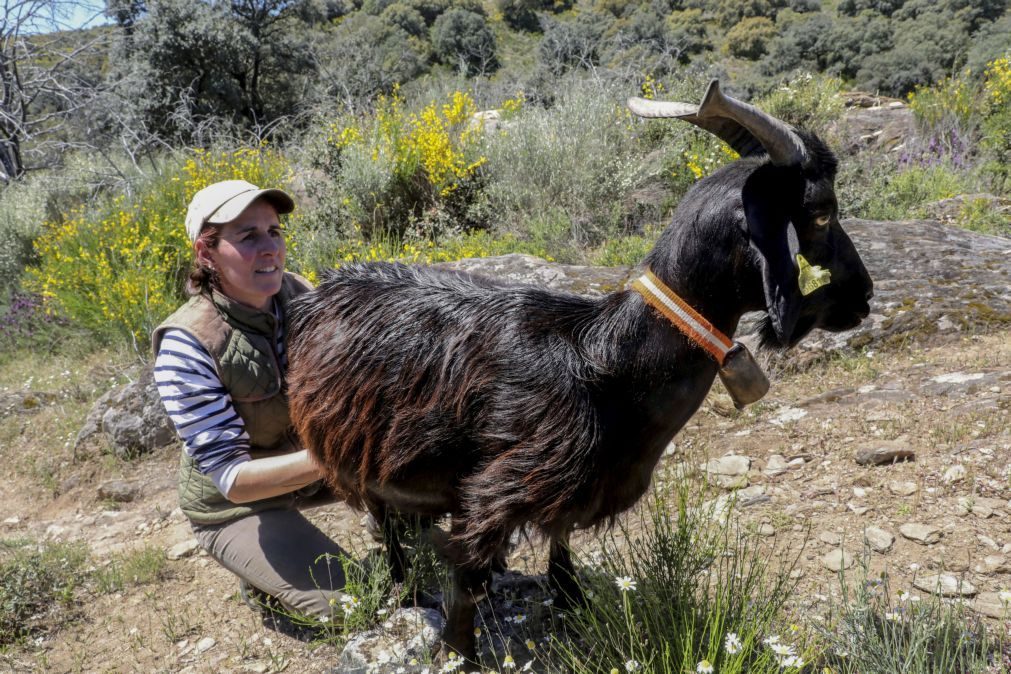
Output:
x=771 y=197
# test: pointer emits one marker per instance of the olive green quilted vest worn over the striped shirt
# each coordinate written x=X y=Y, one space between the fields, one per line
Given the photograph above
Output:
x=242 y=342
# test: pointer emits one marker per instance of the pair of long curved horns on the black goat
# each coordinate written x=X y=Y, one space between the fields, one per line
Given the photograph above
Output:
x=745 y=128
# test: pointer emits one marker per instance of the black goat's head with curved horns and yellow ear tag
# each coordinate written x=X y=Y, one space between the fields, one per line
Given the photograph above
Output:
x=791 y=217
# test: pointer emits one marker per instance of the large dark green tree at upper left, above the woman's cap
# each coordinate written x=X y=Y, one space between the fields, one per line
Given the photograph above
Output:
x=245 y=61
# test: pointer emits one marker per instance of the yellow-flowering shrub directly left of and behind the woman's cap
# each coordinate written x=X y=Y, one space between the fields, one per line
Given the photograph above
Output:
x=118 y=269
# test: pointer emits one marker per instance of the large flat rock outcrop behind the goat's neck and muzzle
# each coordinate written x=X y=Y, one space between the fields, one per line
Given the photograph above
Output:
x=933 y=282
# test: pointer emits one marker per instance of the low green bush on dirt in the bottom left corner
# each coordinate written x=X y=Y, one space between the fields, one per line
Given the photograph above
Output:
x=37 y=587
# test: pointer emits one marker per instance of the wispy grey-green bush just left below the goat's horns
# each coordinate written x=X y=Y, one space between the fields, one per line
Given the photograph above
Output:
x=580 y=158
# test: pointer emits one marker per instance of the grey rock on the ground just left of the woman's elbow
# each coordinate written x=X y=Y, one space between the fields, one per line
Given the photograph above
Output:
x=131 y=418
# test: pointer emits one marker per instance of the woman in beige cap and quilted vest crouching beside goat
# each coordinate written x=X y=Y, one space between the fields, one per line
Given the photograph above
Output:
x=220 y=368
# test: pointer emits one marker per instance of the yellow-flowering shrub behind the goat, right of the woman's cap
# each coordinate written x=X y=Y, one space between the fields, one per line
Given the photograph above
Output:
x=399 y=170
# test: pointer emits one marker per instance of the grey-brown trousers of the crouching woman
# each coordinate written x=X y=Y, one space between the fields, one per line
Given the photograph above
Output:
x=284 y=554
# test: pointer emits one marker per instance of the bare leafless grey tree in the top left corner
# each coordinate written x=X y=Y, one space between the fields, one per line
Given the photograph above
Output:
x=45 y=80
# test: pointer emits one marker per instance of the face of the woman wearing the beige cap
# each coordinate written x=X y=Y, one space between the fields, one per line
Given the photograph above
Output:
x=249 y=257
